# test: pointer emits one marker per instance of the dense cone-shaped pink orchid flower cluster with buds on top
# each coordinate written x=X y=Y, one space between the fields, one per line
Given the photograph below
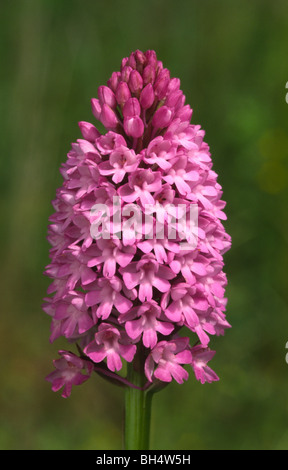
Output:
x=121 y=296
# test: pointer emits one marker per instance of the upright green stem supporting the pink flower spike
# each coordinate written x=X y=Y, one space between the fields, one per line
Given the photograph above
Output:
x=137 y=410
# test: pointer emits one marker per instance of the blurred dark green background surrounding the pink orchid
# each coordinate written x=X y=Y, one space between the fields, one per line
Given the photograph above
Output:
x=231 y=58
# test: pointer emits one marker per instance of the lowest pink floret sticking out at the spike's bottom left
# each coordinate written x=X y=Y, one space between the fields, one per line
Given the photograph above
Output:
x=69 y=372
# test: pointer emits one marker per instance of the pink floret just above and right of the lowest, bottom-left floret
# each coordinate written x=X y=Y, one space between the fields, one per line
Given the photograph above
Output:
x=111 y=344
